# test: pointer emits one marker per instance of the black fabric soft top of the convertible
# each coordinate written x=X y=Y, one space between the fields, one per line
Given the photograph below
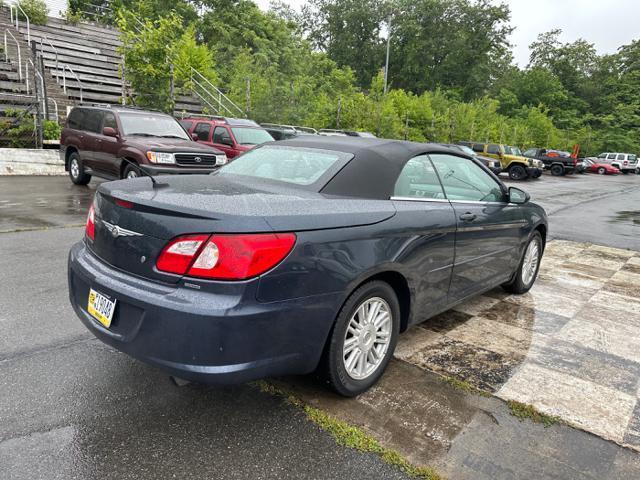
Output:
x=375 y=166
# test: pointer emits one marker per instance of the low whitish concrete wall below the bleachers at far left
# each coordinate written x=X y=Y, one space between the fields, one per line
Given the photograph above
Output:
x=24 y=161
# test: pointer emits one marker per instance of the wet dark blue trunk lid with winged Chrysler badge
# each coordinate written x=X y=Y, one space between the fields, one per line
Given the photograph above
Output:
x=135 y=220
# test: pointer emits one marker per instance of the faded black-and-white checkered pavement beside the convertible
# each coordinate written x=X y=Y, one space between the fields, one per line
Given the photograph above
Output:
x=569 y=347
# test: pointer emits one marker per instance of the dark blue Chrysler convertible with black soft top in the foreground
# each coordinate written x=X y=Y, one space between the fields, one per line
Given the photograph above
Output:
x=311 y=253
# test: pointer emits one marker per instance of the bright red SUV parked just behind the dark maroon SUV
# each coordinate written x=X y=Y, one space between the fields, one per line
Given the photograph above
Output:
x=231 y=135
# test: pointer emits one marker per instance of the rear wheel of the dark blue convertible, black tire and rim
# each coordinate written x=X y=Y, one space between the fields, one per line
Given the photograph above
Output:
x=344 y=343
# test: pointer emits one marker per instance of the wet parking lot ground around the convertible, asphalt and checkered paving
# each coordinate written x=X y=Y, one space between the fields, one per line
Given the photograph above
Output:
x=71 y=407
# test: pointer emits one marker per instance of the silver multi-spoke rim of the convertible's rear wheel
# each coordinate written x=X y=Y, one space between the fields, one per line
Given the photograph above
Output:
x=367 y=338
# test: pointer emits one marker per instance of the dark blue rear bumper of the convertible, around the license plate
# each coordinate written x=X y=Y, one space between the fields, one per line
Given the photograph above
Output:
x=207 y=337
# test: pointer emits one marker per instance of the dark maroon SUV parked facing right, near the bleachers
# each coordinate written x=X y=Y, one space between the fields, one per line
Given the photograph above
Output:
x=121 y=142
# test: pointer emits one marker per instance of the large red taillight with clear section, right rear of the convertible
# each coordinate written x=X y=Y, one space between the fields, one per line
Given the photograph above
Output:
x=225 y=257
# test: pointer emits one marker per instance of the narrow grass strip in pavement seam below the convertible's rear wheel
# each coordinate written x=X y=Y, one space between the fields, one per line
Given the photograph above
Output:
x=350 y=436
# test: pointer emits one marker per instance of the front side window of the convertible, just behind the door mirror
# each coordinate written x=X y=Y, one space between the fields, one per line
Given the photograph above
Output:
x=464 y=180
